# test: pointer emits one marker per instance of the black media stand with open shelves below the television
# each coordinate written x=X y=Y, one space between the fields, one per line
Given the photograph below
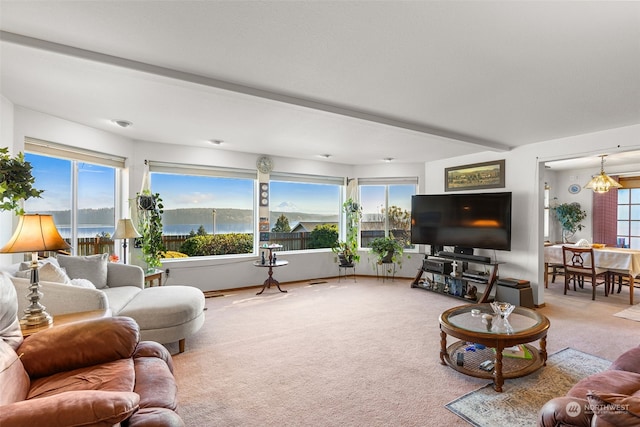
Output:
x=459 y=285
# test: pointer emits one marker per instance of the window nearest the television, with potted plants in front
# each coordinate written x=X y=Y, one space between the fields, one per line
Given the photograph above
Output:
x=386 y=209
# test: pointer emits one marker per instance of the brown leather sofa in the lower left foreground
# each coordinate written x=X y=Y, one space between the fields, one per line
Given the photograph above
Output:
x=87 y=373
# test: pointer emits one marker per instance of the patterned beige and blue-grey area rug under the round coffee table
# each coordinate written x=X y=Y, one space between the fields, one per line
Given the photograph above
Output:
x=523 y=397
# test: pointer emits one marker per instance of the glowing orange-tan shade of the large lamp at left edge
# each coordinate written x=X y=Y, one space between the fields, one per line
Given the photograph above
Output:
x=35 y=233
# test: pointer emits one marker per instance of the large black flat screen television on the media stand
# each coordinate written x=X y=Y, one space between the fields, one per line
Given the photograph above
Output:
x=474 y=220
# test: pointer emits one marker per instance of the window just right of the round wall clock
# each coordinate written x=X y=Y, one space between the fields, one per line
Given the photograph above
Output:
x=304 y=211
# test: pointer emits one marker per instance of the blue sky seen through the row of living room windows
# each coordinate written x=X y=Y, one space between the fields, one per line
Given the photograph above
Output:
x=96 y=190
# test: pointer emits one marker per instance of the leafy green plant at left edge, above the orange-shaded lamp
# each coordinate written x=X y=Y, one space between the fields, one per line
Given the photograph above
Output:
x=16 y=182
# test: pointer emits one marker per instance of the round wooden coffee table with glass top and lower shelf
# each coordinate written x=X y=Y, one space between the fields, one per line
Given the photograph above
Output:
x=493 y=349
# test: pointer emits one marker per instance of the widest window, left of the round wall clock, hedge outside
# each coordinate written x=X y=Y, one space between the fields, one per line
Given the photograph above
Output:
x=207 y=211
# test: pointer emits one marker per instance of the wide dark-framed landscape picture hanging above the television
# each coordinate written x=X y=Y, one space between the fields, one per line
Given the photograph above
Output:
x=476 y=176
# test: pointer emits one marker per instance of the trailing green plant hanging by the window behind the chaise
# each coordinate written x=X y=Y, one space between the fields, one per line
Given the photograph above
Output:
x=150 y=210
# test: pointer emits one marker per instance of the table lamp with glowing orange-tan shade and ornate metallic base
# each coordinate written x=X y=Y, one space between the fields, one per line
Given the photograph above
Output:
x=35 y=233
